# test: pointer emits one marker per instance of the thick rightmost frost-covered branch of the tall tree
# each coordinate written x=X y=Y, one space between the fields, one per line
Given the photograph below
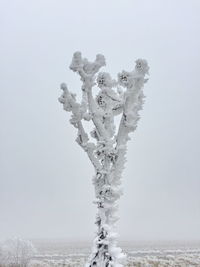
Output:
x=133 y=102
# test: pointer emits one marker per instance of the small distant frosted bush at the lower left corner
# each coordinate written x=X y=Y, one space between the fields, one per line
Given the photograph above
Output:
x=16 y=252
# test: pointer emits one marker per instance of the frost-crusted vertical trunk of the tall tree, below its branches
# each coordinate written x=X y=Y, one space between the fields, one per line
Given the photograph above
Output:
x=105 y=251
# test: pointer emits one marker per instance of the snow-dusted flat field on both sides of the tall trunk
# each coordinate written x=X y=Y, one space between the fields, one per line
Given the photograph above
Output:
x=60 y=253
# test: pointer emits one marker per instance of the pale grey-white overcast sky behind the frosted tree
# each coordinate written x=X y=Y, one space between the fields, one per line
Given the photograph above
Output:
x=45 y=178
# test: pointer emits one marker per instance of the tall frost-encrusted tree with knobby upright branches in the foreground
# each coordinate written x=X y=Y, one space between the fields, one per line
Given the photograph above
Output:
x=106 y=144
